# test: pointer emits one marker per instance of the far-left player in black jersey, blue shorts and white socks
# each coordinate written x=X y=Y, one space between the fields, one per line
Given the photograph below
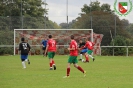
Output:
x=24 y=49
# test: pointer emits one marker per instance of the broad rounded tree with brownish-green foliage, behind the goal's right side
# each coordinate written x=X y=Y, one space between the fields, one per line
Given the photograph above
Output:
x=102 y=20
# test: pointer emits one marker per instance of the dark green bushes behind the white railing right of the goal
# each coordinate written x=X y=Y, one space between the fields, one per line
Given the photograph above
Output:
x=122 y=51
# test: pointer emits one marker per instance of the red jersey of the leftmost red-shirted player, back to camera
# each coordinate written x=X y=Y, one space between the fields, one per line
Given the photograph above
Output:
x=51 y=45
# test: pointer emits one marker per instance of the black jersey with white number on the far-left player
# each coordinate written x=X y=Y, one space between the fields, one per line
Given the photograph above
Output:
x=24 y=48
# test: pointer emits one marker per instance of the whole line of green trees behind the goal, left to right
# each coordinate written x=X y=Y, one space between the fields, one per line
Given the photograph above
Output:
x=29 y=14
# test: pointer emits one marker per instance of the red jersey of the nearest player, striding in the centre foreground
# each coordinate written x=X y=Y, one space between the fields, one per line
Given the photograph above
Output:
x=74 y=45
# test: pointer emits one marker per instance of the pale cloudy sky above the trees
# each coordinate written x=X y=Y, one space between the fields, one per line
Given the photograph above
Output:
x=58 y=10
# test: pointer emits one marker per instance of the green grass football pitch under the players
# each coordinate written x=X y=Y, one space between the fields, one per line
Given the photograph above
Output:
x=105 y=72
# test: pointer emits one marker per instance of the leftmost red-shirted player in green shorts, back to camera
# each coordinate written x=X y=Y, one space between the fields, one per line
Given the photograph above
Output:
x=51 y=49
